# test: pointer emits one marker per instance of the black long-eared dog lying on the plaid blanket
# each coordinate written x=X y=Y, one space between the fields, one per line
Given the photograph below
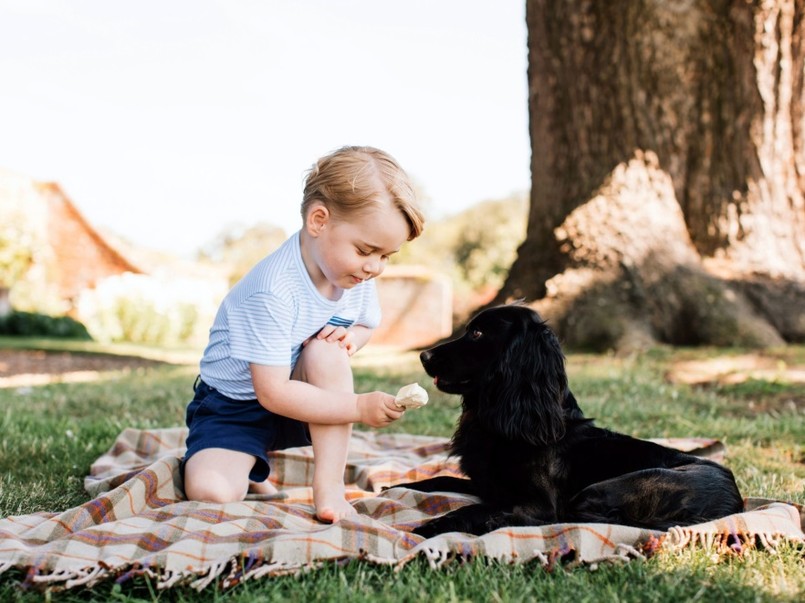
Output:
x=531 y=456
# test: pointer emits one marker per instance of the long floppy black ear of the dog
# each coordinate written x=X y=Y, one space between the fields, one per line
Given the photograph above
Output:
x=522 y=396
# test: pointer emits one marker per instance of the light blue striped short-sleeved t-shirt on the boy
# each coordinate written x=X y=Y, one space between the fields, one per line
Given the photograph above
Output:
x=269 y=313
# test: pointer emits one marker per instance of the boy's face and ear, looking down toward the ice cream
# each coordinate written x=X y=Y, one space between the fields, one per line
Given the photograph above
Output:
x=347 y=251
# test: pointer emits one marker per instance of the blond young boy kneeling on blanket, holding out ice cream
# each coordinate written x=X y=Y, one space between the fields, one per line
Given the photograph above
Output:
x=276 y=368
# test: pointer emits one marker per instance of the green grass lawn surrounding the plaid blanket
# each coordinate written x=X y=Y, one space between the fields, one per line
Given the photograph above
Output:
x=51 y=434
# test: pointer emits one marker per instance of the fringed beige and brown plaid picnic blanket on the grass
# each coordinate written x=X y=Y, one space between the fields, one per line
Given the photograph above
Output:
x=138 y=521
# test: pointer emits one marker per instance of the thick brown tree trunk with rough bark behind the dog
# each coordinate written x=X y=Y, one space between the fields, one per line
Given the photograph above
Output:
x=668 y=166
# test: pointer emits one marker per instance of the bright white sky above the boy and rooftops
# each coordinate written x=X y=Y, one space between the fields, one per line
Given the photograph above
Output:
x=168 y=121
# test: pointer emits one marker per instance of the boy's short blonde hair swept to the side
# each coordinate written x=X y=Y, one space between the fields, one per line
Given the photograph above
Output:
x=349 y=179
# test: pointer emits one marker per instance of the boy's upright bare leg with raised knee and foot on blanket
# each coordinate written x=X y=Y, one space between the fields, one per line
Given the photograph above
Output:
x=326 y=365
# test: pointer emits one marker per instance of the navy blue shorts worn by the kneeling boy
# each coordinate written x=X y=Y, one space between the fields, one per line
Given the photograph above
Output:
x=216 y=421
